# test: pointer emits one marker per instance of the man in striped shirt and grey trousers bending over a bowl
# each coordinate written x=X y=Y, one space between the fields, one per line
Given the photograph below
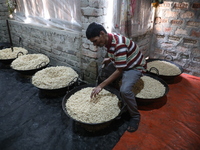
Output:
x=129 y=63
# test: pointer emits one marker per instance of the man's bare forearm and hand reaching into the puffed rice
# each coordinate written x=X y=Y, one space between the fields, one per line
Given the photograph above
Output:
x=106 y=82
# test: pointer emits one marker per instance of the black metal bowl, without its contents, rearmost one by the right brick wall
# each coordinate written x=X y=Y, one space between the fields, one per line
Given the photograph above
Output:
x=166 y=78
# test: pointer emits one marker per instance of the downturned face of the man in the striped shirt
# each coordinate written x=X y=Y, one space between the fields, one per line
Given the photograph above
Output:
x=99 y=41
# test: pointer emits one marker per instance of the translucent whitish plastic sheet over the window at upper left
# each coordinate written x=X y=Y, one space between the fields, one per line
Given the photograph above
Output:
x=63 y=14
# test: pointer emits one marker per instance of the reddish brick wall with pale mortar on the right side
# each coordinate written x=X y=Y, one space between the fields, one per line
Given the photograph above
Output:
x=177 y=33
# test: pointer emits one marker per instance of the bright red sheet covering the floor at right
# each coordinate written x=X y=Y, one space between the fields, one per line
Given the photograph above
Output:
x=171 y=124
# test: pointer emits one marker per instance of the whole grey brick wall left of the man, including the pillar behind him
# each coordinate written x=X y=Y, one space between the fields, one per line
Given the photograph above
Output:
x=57 y=44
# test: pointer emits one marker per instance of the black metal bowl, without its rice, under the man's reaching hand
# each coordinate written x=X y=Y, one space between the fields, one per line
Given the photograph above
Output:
x=92 y=126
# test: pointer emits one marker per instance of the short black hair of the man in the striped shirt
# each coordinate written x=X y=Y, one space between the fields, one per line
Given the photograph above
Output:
x=94 y=30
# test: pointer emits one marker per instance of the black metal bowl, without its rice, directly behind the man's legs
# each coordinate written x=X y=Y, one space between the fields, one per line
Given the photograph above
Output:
x=150 y=100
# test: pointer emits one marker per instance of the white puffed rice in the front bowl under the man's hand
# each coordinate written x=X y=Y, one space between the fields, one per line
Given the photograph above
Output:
x=102 y=108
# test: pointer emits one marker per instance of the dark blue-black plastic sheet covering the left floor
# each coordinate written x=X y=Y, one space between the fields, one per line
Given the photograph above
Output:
x=31 y=120
